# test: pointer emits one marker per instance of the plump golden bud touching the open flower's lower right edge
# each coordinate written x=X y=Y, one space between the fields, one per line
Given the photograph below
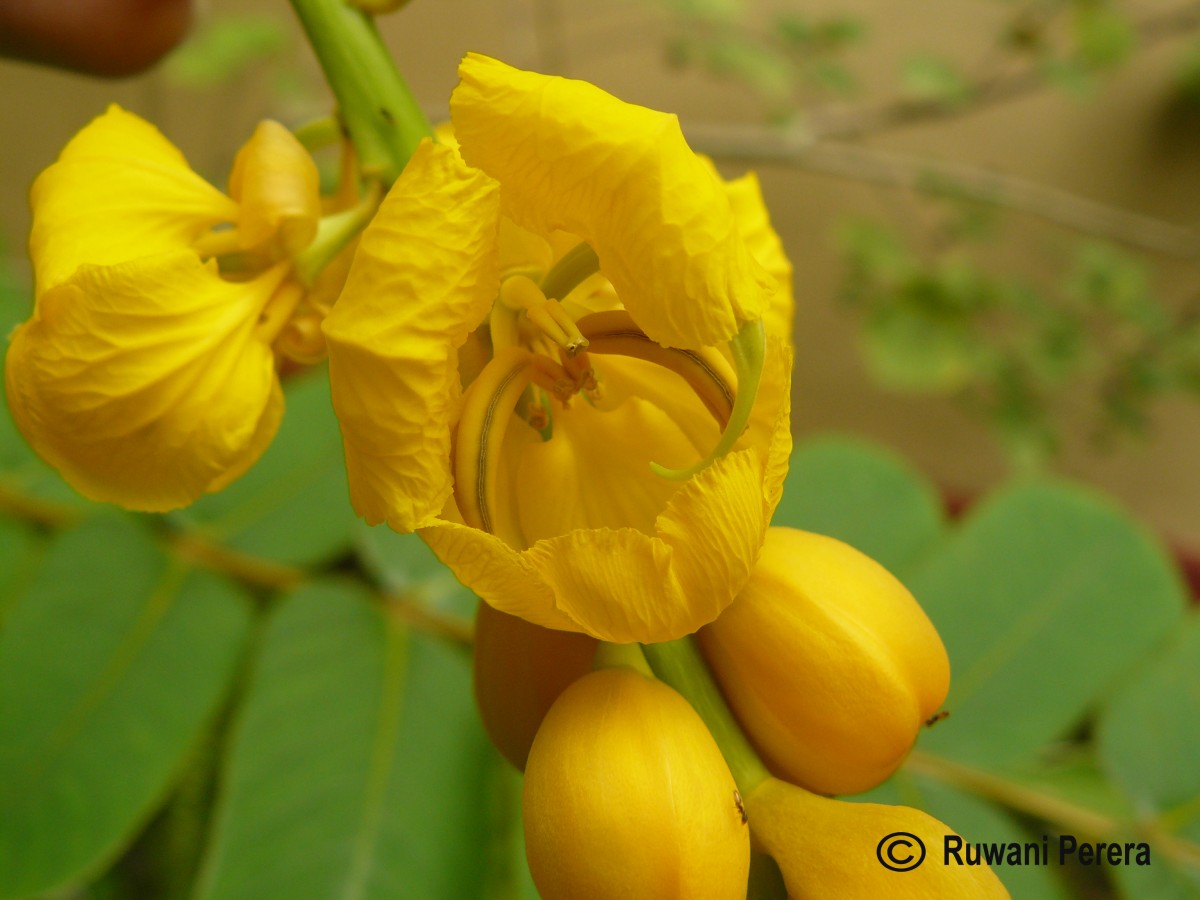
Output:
x=829 y=663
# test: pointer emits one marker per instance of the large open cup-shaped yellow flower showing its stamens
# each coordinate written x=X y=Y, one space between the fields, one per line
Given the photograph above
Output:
x=535 y=319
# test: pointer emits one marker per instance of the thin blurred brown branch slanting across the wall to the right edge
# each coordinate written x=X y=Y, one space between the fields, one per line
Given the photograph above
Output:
x=911 y=172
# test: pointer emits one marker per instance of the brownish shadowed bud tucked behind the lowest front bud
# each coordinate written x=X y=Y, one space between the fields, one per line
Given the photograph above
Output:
x=520 y=671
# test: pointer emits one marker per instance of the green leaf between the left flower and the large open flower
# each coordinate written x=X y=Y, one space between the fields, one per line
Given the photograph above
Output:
x=292 y=507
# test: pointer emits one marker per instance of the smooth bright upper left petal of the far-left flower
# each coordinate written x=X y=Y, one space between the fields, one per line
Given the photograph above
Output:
x=118 y=193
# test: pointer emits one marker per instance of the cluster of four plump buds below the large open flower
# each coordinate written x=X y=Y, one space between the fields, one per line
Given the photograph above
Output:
x=831 y=669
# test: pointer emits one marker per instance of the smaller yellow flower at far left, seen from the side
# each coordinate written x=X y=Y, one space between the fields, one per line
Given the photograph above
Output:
x=146 y=374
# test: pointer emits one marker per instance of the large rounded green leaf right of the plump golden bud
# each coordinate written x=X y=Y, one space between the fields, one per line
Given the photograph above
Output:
x=1045 y=598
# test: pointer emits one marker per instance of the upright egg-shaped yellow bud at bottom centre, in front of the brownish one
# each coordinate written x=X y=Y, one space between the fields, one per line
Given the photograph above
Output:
x=627 y=796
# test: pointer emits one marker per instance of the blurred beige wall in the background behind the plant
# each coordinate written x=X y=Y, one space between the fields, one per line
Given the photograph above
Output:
x=1129 y=147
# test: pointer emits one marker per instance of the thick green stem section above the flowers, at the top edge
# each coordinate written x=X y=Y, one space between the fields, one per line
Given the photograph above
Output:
x=381 y=113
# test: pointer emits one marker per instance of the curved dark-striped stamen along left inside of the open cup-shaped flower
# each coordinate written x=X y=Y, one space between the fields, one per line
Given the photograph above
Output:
x=488 y=407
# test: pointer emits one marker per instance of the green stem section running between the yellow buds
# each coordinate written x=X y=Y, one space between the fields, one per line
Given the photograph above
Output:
x=680 y=664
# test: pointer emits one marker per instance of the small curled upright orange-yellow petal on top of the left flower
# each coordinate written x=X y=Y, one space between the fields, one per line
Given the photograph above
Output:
x=277 y=184
